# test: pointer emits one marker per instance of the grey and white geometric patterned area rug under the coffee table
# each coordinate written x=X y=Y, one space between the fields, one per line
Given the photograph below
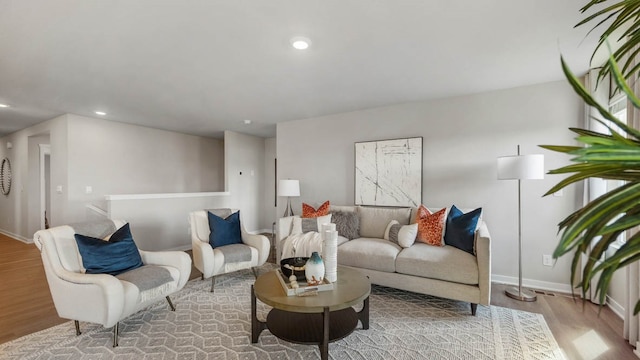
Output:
x=403 y=325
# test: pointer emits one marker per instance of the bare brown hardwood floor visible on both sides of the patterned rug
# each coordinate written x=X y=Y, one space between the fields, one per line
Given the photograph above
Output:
x=581 y=333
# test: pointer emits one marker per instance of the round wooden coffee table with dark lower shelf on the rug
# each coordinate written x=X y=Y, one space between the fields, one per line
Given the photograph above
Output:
x=318 y=319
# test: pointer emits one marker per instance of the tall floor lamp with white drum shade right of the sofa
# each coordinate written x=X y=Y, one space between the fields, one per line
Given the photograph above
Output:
x=520 y=167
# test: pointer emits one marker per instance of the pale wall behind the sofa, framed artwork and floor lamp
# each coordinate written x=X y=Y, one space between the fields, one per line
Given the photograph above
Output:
x=463 y=136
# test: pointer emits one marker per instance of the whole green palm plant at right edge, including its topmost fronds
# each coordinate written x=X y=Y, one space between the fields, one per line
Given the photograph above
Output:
x=612 y=156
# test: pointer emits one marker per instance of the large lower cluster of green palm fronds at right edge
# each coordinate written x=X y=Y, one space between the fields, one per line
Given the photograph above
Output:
x=593 y=228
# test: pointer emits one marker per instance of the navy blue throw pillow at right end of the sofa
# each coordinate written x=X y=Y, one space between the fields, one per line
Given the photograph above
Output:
x=461 y=228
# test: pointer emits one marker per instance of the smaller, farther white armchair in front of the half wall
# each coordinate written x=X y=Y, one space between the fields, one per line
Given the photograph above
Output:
x=211 y=261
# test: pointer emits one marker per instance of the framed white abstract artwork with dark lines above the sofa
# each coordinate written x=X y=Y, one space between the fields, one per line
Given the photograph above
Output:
x=389 y=172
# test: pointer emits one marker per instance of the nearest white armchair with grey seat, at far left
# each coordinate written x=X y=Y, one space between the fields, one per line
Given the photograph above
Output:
x=101 y=298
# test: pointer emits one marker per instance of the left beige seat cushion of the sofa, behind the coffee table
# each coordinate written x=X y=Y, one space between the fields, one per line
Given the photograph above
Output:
x=369 y=253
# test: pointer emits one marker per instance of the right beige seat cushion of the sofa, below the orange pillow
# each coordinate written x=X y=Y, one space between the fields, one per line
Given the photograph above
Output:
x=438 y=262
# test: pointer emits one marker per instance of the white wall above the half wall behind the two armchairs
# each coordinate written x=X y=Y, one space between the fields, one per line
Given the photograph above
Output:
x=117 y=158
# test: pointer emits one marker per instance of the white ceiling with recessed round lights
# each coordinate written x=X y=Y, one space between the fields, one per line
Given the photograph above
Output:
x=204 y=66
